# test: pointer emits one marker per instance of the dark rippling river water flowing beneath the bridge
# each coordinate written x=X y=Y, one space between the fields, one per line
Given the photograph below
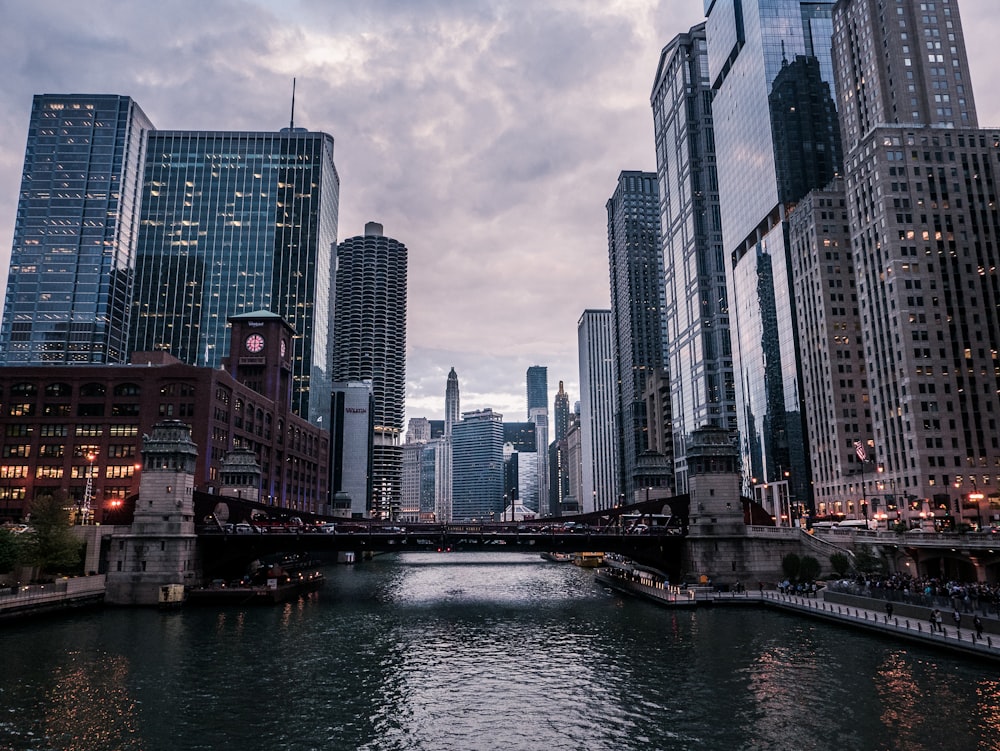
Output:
x=479 y=651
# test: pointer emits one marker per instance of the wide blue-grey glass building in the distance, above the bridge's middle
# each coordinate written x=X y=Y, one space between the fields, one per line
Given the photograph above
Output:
x=477 y=466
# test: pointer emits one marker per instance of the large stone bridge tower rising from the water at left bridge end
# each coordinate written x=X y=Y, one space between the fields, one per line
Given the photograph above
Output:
x=160 y=548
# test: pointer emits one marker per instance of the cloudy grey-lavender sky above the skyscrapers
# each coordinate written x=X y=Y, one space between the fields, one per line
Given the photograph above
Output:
x=486 y=136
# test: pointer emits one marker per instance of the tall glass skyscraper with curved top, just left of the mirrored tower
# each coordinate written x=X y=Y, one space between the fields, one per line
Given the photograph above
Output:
x=699 y=354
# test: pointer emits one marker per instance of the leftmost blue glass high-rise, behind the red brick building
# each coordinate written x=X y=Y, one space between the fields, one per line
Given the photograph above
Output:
x=75 y=232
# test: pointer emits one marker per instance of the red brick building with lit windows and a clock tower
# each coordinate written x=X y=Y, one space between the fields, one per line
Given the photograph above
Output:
x=63 y=425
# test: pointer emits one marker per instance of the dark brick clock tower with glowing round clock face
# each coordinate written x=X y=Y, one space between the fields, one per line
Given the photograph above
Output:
x=261 y=355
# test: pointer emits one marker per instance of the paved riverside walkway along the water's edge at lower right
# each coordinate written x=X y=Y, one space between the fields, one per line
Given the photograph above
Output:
x=914 y=630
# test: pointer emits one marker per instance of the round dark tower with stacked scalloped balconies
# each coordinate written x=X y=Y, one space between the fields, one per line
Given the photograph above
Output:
x=370 y=343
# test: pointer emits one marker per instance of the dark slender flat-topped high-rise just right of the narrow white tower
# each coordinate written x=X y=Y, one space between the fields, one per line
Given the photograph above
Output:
x=637 y=304
